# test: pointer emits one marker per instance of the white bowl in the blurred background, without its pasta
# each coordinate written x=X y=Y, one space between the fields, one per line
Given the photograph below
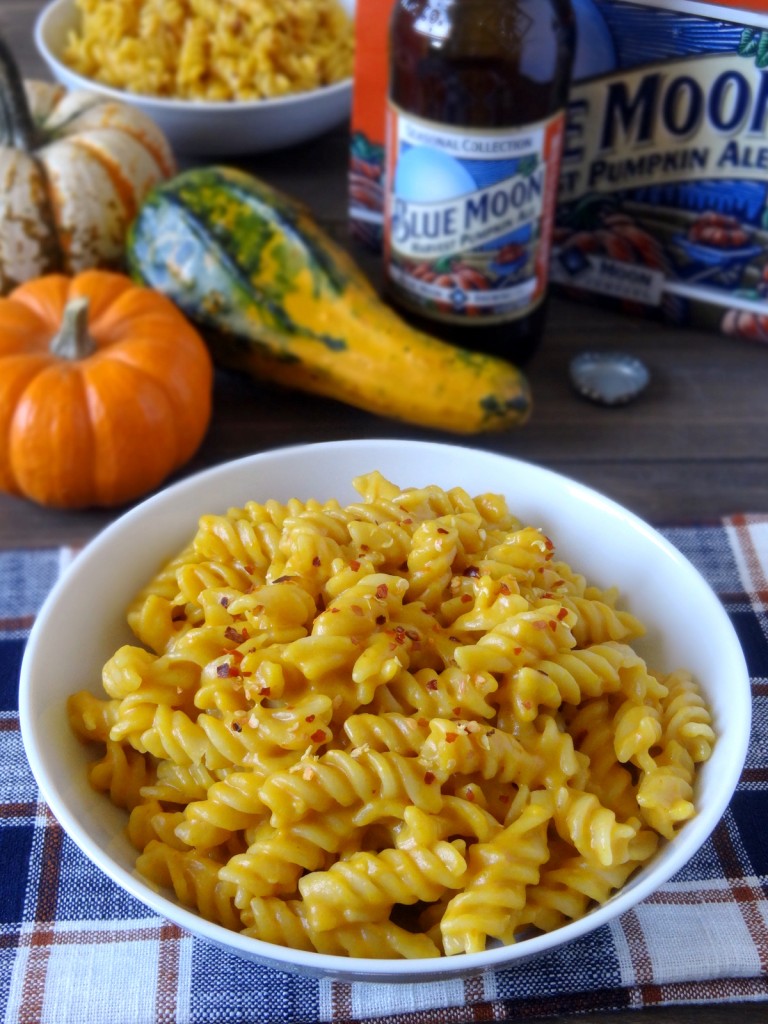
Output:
x=206 y=130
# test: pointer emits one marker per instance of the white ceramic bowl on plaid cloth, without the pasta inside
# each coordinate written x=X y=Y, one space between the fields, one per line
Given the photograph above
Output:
x=82 y=623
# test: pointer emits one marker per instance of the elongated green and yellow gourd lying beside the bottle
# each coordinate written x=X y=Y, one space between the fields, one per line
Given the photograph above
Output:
x=278 y=298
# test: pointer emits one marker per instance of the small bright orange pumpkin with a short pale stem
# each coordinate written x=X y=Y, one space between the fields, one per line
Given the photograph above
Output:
x=105 y=390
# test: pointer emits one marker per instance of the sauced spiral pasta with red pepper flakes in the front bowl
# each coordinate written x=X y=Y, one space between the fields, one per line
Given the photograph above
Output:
x=397 y=729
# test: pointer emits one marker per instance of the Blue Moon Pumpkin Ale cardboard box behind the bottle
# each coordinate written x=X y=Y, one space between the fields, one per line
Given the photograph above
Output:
x=663 y=205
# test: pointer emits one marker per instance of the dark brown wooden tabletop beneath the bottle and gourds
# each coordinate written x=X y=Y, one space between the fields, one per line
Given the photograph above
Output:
x=694 y=448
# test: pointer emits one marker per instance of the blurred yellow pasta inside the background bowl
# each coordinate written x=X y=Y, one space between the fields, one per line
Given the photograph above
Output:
x=212 y=50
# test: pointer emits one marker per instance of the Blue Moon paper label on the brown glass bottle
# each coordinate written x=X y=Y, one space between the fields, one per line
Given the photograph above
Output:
x=470 y=216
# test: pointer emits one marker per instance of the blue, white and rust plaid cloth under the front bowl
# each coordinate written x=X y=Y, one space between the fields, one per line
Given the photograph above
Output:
x=75 y=948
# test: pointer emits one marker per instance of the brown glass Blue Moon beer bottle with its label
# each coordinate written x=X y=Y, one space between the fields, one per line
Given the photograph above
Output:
x=478 y=94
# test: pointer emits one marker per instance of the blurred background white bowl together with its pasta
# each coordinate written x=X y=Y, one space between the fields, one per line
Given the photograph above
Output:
x=216 y=90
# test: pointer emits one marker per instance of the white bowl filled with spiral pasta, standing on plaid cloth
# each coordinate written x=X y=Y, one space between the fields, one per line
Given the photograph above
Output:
x=385 y=711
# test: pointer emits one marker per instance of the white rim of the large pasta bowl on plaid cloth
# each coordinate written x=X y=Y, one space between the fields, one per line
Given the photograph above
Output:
x=358 y=969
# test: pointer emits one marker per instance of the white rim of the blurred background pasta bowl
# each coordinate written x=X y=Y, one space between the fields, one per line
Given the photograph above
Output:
x=165 y=103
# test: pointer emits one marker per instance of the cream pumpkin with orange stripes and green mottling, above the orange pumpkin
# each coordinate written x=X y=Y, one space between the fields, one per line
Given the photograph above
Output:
x=74 y=169
